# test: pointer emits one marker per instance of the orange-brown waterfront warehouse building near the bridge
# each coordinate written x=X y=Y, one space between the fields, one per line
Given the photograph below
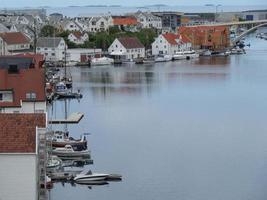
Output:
x=206 y=37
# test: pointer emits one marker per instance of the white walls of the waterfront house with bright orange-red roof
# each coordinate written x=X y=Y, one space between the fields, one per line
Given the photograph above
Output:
x=162 y=46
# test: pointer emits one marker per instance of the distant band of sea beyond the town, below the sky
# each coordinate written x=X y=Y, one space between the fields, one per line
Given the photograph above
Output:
x=91 y=11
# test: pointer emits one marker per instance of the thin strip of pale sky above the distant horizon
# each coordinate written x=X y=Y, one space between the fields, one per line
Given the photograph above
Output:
x=61 y=3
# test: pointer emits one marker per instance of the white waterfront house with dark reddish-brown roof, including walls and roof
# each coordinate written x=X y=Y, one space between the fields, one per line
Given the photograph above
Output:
x=127 y=48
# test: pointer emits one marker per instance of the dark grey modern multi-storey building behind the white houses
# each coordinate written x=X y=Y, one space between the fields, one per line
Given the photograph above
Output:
x=170 y=20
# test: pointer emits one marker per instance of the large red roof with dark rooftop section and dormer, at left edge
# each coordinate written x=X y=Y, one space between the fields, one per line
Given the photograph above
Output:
x=28 y=80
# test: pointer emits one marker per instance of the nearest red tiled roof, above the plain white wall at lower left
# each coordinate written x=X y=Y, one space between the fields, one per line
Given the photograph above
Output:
x=18 y=132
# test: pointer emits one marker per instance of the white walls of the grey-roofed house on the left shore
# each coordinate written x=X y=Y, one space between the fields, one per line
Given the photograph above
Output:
x=56 y=53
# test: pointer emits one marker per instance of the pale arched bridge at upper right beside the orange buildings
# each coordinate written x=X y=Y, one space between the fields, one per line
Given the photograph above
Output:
x=253 y=25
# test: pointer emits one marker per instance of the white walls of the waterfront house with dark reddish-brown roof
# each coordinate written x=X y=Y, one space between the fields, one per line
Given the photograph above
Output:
x=116 y=48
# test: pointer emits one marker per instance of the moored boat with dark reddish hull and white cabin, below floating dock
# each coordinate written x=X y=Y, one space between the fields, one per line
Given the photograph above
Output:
x=61 y=139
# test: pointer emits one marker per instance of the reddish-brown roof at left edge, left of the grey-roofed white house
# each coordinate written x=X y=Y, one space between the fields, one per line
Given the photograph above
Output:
x=14 y=38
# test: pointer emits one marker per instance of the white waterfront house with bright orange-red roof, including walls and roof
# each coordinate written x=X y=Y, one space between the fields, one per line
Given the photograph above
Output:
x=169 y=44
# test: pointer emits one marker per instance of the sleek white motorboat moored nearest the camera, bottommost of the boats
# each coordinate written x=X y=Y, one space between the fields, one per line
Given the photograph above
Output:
x=88 y=177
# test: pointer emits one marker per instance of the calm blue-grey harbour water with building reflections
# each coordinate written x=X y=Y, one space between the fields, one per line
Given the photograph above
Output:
x=189 y=130
